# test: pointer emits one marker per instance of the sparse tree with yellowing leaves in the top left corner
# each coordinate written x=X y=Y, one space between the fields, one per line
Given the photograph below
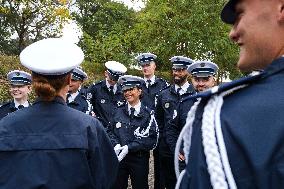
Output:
x=25 y=21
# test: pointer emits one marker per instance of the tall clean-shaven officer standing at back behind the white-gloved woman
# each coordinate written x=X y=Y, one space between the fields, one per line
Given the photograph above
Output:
x=151 y=86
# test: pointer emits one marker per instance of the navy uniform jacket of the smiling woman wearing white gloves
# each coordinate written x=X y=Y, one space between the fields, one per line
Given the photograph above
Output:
x=122 y=130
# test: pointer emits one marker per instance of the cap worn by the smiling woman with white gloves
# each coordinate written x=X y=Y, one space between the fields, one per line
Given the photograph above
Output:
x=130 y=81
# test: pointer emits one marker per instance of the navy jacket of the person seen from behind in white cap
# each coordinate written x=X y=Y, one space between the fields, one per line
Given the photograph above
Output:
x=50 y=145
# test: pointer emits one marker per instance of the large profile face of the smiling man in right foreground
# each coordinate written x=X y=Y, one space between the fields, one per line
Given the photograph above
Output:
x=254 y=31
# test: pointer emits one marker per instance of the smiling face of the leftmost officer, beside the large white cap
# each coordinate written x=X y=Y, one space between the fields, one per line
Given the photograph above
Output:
x=20 y=92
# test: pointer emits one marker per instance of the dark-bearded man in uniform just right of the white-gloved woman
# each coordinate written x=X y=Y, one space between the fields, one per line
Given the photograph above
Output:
x=166 y=104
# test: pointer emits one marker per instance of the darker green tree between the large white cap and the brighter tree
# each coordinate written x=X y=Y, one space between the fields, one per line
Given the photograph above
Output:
x=105 y=25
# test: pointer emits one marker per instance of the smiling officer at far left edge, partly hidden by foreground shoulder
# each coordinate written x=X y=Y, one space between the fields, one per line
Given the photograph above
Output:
x=20 y=87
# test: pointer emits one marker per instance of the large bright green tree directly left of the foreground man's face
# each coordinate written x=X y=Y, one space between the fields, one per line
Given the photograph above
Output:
x=190 y=28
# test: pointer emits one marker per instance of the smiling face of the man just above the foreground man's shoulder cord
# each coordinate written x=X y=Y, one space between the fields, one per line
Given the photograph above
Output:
x=202 y=83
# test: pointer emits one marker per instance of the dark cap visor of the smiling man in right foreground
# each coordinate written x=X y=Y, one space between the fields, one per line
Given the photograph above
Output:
x=228 y=14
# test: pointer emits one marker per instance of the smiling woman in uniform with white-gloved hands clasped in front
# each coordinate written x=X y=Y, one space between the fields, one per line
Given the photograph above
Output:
x=134 y=133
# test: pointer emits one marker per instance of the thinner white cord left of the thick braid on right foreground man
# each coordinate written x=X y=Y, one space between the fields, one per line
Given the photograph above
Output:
x=185 y=136
